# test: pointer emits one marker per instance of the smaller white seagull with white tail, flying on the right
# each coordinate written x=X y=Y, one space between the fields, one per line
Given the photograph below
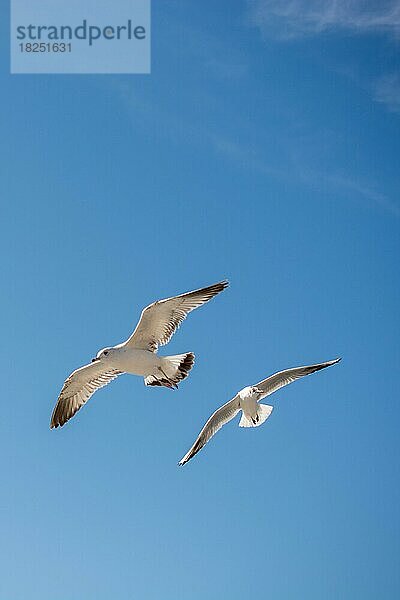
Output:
x=253 y=414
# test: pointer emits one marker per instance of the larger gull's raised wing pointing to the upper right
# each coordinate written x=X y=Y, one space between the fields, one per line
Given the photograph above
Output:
x=159 y=321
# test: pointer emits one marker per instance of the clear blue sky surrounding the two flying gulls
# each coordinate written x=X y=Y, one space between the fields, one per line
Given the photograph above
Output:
x=264 y=147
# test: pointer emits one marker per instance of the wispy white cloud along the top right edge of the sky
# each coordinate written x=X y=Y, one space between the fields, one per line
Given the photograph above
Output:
x=294 y=18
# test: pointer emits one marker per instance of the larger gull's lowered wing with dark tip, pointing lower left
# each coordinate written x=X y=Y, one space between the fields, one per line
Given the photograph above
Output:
x=78 y=388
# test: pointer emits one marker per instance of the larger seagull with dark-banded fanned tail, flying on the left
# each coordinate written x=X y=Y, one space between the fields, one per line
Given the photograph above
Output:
x=138 y=355
